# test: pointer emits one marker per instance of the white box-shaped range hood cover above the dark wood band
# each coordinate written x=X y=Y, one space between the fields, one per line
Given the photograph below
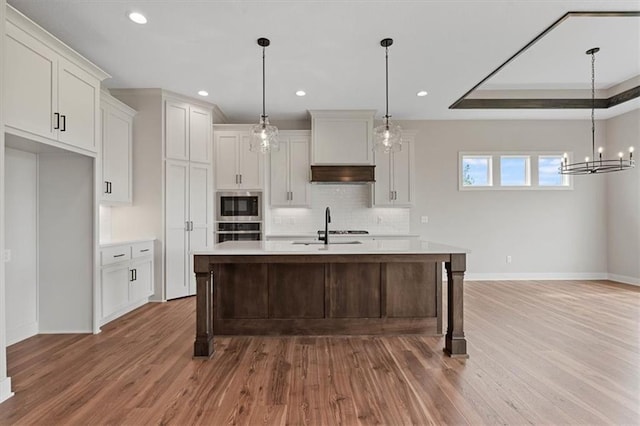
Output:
x=341 y=137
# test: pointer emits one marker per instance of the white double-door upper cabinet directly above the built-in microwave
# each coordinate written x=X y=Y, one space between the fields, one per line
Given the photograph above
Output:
x=236 y=167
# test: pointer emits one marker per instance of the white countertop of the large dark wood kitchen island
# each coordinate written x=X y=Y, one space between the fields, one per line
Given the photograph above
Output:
x=399 y=246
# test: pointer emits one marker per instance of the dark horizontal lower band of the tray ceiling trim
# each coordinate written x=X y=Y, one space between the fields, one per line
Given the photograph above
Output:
x=602 y=103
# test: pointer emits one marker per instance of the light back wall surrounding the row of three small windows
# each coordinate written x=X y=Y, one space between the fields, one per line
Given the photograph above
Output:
x=548 y=234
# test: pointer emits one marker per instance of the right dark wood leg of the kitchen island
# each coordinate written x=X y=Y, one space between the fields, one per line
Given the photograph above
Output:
x=455 y=344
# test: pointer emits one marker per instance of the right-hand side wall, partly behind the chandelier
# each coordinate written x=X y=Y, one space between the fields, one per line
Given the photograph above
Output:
x=623 y=201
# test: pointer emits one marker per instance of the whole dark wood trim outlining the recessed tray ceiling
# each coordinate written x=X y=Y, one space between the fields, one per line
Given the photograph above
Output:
x=464 y=103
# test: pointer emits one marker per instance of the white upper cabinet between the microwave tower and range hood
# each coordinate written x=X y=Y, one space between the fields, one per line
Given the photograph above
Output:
x=289 y=177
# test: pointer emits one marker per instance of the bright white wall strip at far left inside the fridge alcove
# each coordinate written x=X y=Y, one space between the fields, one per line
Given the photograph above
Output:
x=21 y=194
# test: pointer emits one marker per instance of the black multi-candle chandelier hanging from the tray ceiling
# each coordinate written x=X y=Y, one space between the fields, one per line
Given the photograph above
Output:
x=592 y=165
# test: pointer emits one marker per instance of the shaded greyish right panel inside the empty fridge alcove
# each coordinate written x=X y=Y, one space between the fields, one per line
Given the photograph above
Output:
x=65 y=243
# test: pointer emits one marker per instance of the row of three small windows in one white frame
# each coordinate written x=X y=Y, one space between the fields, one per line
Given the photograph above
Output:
x=513 y=171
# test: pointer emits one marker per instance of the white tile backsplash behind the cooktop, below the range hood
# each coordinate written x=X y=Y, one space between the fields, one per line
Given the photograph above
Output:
x=350 y=209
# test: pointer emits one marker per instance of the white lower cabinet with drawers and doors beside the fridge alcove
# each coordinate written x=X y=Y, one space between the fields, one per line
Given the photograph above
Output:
x=126 y=279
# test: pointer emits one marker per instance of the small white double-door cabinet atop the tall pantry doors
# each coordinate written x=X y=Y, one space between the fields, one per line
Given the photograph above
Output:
x=188 y=132
